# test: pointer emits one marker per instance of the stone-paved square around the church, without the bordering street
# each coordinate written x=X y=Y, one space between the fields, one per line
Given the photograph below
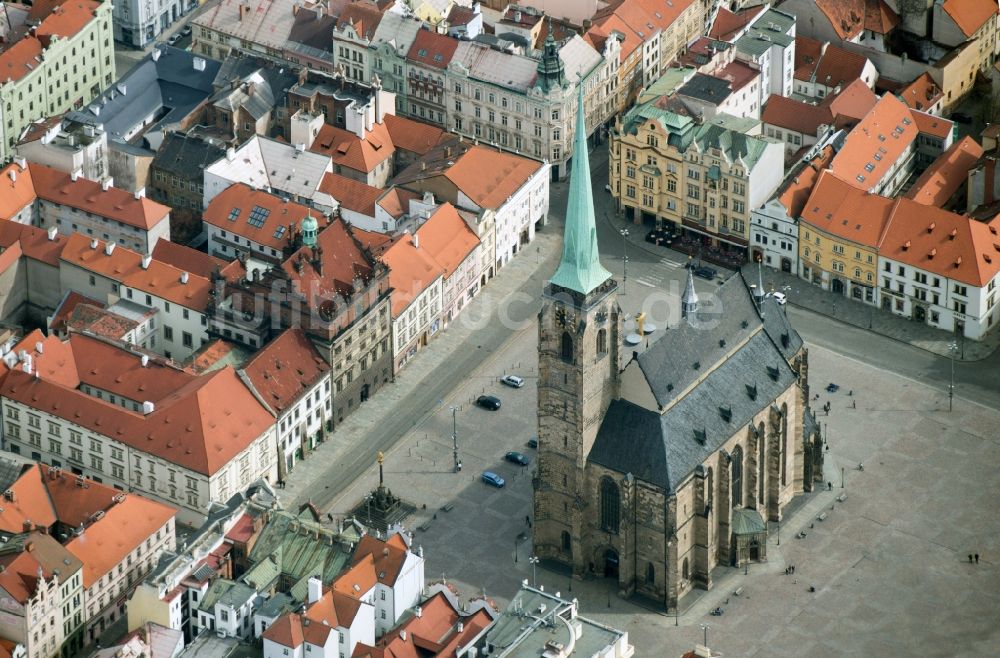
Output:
x=889 y=563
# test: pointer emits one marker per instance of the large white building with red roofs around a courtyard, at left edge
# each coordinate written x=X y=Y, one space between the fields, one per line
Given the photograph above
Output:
x=171 y=435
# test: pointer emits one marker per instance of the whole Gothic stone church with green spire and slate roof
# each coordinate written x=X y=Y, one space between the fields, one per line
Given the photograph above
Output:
x=655 y=467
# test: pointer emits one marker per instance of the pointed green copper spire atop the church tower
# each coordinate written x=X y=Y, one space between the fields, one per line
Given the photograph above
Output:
x=580 y=268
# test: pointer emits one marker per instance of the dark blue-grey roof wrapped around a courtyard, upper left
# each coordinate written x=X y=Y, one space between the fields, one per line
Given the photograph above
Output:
x=170 y=85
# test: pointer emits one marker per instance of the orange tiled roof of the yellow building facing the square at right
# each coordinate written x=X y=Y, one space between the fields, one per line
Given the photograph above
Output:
x=840 y=209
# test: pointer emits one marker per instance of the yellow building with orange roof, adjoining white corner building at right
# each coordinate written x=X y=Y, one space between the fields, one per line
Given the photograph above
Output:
x=839 y=233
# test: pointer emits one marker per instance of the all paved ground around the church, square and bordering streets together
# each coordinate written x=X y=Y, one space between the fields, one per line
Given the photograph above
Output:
x=885 y=562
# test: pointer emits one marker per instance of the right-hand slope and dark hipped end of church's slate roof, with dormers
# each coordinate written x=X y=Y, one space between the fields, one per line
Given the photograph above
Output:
x=664 y=449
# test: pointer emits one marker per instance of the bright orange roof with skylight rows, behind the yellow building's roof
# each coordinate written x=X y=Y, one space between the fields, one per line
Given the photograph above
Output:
x=876 y=143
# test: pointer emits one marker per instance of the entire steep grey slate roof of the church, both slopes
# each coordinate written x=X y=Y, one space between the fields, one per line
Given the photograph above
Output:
x=663 y=449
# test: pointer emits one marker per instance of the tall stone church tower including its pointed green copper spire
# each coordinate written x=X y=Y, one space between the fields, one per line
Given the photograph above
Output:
x=578 y=369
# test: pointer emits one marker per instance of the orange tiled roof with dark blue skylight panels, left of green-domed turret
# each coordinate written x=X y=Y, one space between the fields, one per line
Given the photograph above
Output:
x=234 y=208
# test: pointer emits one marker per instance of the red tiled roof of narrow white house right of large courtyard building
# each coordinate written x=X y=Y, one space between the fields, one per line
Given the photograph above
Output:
x=285 y=369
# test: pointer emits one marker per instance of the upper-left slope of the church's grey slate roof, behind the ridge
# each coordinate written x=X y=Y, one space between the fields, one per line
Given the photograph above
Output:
x=669 y=363
